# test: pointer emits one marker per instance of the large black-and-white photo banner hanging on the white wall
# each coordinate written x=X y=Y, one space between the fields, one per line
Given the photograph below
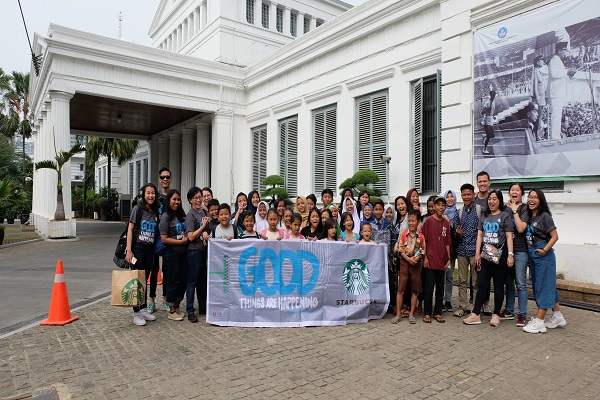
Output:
x=537 y=92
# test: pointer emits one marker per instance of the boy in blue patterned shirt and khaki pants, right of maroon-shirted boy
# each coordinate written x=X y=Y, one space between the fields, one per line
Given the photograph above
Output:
x=466 y=221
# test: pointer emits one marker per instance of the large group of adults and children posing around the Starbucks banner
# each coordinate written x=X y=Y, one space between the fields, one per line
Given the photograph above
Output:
x=489 y=239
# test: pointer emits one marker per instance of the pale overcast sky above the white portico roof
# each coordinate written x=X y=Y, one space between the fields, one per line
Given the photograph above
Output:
x=100 y=17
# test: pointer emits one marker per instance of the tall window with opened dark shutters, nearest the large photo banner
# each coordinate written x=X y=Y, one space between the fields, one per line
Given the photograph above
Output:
x=426 y=134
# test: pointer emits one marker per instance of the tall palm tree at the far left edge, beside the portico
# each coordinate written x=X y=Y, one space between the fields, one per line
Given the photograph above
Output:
x=16 y=96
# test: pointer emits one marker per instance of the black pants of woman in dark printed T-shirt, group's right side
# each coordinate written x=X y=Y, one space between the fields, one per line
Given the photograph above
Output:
x=488 y=271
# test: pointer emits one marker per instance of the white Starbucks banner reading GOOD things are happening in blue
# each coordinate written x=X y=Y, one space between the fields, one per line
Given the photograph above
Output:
x=258 y=283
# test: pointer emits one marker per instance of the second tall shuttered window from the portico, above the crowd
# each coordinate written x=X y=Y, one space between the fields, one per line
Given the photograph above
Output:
x=288 y=153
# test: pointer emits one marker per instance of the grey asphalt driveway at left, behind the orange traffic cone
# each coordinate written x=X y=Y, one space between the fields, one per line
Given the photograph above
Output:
x=27 y=271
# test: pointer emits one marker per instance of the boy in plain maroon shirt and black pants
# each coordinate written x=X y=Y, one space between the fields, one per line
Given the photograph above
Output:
x=436 y=231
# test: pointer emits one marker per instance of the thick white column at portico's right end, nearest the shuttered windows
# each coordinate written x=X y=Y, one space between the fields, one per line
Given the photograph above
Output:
x=221 y=150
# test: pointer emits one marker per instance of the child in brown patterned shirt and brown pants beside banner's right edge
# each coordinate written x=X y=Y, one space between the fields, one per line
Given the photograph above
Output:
x=411 y=248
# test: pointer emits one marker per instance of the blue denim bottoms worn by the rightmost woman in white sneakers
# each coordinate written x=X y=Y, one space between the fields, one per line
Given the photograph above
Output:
x=544 y=277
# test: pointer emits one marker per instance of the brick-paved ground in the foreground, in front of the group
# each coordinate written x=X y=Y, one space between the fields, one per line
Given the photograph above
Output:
x=104 y=356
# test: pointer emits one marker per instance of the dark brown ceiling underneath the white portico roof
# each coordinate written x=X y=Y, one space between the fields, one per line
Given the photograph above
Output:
x=106 y=116
